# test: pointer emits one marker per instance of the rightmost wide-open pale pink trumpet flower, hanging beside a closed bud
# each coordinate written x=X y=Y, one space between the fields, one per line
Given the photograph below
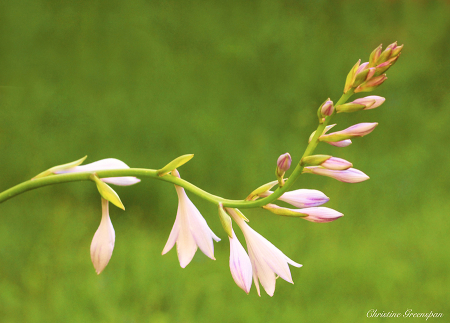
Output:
x=266 y=259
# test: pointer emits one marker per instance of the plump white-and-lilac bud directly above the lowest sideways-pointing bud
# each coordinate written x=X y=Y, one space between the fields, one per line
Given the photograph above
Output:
x=302 y=197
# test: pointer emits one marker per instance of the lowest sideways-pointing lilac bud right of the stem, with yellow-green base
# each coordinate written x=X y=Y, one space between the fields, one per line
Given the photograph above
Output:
x=313 y=214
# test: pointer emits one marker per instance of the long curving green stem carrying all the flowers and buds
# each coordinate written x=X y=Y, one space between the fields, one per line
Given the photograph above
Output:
x=151 y=173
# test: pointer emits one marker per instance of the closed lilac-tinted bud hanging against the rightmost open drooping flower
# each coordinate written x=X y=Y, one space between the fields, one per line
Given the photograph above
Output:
x=240 y=264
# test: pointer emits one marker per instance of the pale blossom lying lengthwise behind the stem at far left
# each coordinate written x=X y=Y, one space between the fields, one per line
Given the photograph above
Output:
x=105 y=164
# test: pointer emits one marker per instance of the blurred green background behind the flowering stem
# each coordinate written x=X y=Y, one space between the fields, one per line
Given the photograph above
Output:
x=237 y=83
